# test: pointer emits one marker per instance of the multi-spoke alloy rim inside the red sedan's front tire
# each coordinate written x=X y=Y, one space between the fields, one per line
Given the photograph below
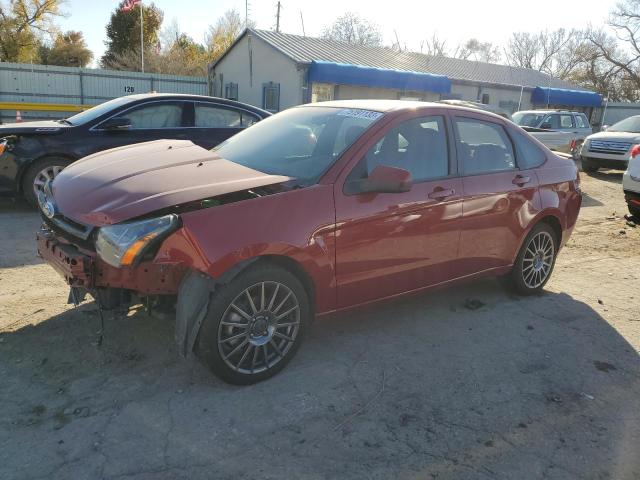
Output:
x=259 y=327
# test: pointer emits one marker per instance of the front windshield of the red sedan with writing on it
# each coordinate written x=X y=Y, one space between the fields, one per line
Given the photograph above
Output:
x=300 y=142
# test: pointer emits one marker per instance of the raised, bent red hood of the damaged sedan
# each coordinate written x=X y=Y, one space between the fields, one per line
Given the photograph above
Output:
x=127 y=182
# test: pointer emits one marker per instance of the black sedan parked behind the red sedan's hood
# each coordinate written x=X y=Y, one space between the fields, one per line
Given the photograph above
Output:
x=33 y=152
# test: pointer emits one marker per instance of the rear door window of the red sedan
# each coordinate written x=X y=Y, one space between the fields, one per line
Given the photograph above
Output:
x=483 y=147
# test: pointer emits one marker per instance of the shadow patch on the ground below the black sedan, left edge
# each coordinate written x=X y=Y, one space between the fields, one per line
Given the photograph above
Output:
x=18 y=225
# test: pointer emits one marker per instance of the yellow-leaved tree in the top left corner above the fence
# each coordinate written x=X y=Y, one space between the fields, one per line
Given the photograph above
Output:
x=22 y=24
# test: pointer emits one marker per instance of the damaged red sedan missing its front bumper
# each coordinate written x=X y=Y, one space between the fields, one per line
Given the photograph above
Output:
x=316 y=209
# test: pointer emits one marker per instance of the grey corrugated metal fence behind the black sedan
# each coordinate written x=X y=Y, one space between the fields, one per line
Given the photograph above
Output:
x=34 y=84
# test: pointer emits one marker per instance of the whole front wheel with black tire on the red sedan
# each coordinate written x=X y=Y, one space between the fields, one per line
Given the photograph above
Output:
x=215 y=345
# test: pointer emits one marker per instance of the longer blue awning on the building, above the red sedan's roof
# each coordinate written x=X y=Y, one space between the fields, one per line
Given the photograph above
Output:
x=345 y=74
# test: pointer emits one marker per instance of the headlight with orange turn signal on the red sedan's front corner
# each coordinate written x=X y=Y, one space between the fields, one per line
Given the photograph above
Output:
x=125 y=244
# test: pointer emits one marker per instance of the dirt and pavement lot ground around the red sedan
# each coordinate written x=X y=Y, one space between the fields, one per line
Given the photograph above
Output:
x=544 y=387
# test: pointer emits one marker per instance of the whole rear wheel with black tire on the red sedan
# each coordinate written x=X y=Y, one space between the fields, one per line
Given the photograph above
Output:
x=525 y=268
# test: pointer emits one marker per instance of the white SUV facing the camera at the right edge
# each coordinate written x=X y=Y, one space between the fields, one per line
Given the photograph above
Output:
x=611 y=148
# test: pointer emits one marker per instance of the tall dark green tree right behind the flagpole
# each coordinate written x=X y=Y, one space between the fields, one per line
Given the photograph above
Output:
x=123 y=33
